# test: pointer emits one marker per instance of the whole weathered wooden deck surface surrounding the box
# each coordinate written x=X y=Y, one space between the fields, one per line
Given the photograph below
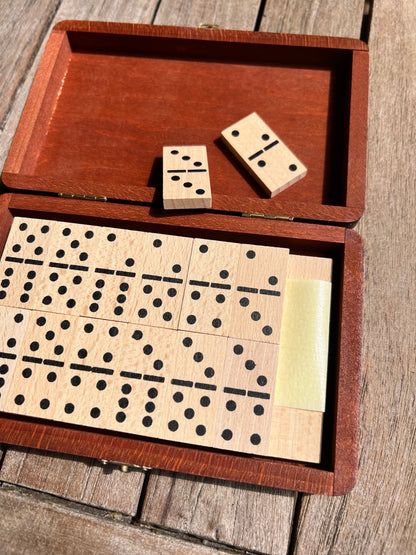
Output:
x=377 y=517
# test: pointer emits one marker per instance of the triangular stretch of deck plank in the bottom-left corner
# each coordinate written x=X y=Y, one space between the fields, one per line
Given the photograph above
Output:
x=34 y=525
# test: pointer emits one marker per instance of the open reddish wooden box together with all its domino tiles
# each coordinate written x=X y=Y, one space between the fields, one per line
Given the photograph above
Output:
x=106 y=307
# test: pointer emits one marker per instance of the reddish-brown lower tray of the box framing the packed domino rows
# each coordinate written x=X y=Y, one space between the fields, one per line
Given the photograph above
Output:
x=336 y=473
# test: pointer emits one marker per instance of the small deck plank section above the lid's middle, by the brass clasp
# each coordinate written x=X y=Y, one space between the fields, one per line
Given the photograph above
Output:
x=232 y=14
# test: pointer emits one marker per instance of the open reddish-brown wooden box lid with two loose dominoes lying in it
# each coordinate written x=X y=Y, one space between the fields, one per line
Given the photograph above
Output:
x=108 y=96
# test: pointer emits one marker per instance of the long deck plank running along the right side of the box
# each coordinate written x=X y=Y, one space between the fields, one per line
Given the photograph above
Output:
x=378 y=516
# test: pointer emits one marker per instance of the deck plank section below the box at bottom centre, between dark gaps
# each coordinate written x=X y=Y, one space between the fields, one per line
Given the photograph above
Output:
x=245 y=517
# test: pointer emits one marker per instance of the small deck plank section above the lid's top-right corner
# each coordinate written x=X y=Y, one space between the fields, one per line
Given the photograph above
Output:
x=319 y=17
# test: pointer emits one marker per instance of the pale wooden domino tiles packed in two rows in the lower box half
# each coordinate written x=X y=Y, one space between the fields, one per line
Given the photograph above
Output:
x=158 y=335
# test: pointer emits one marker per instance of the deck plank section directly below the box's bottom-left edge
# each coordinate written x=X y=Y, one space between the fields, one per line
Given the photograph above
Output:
x=82 y=480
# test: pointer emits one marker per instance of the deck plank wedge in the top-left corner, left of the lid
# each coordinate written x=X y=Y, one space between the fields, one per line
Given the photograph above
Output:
x=17 y=27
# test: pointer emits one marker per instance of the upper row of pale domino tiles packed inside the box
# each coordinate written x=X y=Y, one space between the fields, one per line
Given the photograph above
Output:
x=159 y=280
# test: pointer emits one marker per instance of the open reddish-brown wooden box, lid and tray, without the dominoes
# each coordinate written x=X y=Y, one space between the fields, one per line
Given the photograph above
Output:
x=105 y=100
